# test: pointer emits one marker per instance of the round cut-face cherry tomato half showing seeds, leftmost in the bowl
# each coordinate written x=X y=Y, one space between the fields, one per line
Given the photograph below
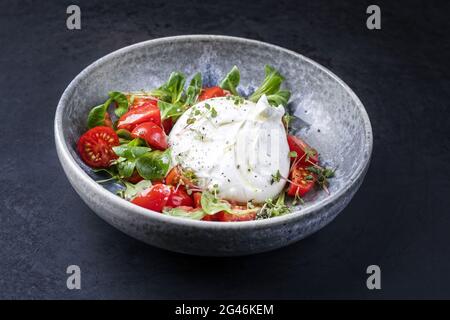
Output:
x=95 y=147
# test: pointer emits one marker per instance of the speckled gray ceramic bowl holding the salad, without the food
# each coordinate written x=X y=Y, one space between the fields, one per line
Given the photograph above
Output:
x=333 y=120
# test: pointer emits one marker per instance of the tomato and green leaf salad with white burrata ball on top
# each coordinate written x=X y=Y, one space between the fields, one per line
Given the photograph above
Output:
x=156 y=145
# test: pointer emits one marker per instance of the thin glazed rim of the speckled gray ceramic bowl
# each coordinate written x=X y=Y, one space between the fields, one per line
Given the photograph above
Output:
x=69 y=162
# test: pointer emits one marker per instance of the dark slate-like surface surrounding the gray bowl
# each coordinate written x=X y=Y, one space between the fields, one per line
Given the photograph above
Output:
x=398 y=220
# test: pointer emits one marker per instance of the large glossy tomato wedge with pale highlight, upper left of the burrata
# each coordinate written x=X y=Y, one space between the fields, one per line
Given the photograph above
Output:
x=138 y=115
